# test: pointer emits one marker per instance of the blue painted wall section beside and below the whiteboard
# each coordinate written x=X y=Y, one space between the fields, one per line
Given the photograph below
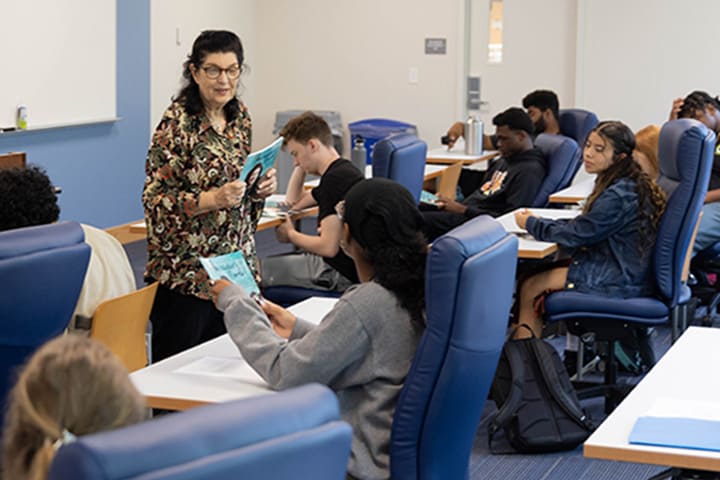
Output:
x=101 y=167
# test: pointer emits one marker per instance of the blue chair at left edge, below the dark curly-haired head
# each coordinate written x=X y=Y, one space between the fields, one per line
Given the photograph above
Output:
x=43 y=269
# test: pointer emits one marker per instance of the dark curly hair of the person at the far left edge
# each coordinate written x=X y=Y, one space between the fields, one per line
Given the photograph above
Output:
x=27 y=198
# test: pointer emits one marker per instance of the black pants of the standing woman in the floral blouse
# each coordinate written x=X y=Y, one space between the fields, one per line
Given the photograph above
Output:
x=182 y=321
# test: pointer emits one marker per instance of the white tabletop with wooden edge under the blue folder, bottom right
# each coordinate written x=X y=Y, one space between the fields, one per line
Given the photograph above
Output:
x=687 y=372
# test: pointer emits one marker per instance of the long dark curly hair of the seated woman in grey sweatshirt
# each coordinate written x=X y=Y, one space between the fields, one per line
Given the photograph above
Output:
x=384 y=220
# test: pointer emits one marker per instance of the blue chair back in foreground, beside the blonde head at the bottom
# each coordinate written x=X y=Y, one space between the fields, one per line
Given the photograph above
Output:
x=288 y=435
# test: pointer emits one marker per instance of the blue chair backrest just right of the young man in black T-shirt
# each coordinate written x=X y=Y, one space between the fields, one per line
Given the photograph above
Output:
x=401 y=157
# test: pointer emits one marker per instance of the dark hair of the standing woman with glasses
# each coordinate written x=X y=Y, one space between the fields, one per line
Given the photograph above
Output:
x=209 y=41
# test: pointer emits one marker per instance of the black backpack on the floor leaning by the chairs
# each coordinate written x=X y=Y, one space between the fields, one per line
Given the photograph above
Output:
x=538 y=409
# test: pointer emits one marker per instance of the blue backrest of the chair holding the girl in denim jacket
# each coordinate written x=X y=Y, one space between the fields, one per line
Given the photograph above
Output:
x=685 y=156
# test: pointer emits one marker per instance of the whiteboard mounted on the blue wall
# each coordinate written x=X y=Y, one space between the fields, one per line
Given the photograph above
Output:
x=58 y=59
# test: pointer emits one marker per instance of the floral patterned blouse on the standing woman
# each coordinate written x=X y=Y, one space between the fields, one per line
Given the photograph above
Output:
x=186 y=157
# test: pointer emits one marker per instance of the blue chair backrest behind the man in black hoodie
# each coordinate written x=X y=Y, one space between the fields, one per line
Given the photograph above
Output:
x=560 y=154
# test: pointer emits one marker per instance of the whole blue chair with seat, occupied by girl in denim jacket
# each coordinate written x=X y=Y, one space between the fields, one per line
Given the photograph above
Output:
x=685 y=156
